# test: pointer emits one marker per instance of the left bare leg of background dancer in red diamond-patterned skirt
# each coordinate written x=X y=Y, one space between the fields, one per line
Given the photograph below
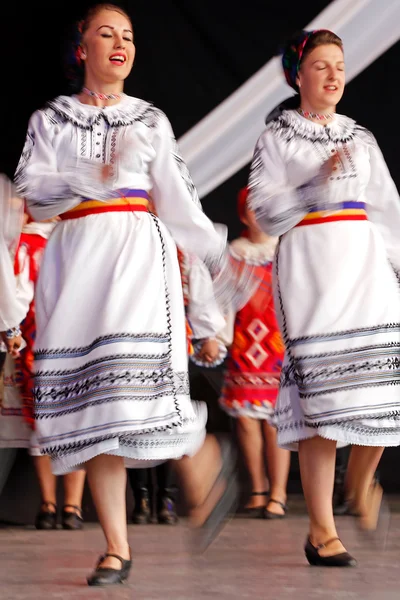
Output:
x=251 y=443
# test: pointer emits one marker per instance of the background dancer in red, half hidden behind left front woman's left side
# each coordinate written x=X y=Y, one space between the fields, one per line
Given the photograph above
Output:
x=18 y=409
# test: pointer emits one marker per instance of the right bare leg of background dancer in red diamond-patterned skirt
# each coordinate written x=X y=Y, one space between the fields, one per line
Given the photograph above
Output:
x=278 y=465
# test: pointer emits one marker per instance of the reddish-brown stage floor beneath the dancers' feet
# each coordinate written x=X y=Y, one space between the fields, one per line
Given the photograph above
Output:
x=251 y=559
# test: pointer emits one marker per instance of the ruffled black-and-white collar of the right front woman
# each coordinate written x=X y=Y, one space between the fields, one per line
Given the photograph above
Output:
x=290 y=124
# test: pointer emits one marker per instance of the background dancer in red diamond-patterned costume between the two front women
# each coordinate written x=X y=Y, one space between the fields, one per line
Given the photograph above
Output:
x=252 y=375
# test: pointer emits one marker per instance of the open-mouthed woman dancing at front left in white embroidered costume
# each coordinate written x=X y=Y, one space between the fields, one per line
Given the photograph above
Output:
x=110 y=356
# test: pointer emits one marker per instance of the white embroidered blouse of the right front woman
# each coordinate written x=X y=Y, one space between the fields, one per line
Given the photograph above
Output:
x=287 y=179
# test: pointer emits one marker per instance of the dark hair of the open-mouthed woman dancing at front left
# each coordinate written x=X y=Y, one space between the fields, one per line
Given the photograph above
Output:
x=74 y=66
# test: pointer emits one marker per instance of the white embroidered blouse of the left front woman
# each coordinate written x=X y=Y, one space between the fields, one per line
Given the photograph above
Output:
x=68 y=143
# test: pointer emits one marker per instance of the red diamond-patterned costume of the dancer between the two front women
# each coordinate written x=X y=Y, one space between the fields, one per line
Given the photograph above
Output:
x=252 y=377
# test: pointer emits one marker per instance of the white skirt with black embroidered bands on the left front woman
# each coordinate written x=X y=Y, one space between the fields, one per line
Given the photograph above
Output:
x=110 y=357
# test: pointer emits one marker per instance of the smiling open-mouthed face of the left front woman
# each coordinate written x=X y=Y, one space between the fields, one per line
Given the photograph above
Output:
x=108 y=50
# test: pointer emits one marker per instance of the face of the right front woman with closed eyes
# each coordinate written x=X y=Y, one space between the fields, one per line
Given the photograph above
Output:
x=321 y=78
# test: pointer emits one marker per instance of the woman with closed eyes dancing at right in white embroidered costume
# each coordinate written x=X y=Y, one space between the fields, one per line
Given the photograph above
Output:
x=319 y=181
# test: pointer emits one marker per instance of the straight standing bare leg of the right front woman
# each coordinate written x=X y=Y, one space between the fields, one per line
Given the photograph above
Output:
x=317 y=466
